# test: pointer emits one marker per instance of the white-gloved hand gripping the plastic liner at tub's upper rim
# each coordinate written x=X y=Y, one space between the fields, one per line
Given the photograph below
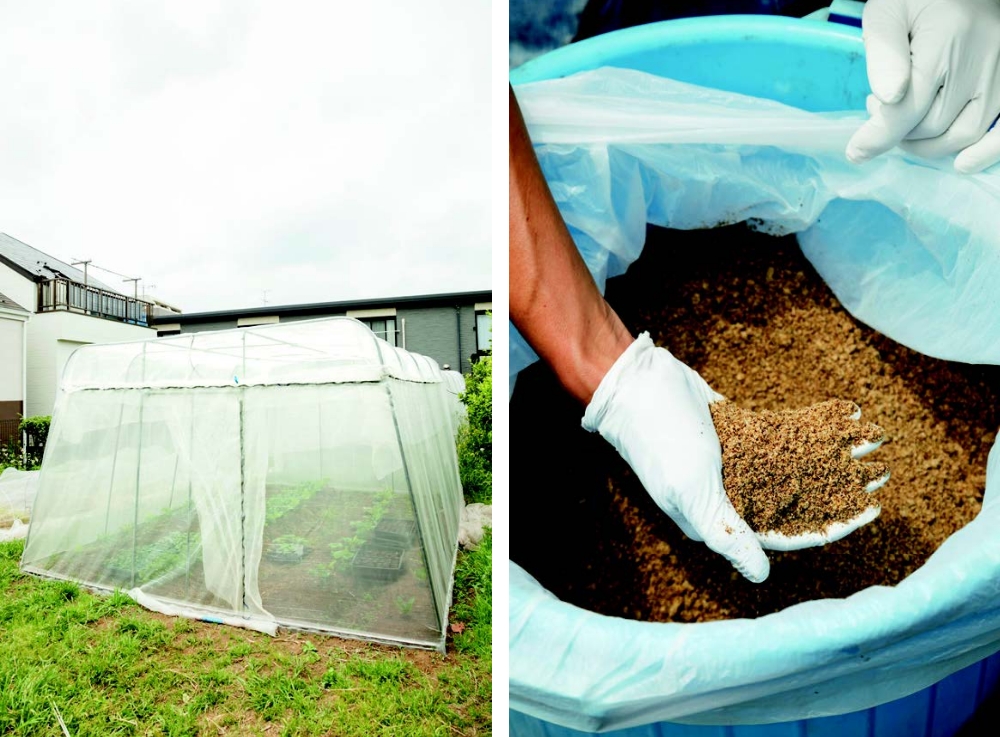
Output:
x=934 y=69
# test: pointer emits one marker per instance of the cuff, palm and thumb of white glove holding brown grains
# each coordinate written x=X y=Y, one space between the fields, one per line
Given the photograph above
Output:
x=654 y=410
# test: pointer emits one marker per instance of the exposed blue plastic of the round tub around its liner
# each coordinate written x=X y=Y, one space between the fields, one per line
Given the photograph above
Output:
x=817 y=66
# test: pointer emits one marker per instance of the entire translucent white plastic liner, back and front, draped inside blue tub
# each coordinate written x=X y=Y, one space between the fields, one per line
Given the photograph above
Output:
x=910 y=248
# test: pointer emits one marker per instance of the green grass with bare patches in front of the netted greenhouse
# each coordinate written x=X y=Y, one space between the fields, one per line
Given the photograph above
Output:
x=105 y=666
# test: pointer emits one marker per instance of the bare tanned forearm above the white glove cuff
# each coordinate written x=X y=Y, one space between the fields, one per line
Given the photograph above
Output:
x=554 y=301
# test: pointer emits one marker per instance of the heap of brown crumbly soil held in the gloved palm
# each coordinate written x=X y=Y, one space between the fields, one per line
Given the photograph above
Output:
x=793 y=472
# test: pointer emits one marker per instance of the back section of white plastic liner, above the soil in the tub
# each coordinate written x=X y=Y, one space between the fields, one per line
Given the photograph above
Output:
x=909 y=247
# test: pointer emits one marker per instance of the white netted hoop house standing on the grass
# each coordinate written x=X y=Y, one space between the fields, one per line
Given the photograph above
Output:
x=301 y=474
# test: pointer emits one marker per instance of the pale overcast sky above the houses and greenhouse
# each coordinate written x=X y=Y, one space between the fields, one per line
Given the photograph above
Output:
x=321 y=151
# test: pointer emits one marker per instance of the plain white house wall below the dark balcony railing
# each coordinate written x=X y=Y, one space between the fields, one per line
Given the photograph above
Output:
x=52 y=337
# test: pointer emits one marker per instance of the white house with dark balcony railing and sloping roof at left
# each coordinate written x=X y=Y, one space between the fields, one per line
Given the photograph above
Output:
x=67 y=308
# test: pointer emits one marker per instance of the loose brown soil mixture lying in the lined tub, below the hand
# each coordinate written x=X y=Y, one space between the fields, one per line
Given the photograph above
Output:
x=749 y=313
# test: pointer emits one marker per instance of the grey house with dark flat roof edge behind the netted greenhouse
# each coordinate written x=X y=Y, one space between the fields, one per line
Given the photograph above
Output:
x=454 y=329
